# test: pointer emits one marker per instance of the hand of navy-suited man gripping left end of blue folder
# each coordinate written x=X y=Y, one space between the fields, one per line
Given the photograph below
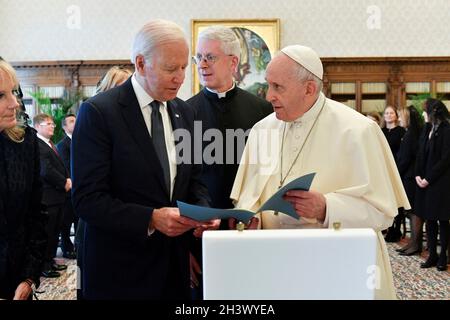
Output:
x=170 y=222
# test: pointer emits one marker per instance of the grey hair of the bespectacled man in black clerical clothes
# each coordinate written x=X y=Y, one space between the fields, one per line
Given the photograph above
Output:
x=229 y=42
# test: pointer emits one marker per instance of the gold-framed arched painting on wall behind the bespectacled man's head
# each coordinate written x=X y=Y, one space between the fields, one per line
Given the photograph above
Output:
x=259 y=39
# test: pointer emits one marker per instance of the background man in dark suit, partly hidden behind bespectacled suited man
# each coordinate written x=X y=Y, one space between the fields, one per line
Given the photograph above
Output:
x=67 y=247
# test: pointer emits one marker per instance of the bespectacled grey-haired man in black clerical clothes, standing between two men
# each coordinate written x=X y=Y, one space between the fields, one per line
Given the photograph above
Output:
x=230 y=111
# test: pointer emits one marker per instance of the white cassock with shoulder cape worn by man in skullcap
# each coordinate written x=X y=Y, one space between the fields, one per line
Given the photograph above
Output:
x=355 y=170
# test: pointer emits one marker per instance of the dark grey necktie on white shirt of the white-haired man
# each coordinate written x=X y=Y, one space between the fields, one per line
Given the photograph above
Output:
x=159 y=141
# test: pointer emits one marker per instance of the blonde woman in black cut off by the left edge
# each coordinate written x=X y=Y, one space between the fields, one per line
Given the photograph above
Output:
x=22 y=222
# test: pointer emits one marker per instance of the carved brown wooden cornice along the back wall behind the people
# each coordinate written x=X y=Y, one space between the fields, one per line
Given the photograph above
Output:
x=394 y=72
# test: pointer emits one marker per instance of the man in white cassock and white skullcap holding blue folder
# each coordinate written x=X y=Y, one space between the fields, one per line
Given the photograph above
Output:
x=356 y=182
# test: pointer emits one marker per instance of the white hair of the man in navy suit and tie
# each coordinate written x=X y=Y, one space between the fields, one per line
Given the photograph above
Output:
x=152 y=35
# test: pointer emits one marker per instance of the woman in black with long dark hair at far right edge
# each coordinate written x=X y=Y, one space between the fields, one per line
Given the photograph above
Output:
x=433 y=180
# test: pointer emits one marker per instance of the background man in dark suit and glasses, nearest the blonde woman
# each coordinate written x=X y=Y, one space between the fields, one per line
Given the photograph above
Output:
x=56 y=184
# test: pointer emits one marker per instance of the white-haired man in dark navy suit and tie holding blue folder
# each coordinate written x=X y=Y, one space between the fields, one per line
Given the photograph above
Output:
x=127 y=179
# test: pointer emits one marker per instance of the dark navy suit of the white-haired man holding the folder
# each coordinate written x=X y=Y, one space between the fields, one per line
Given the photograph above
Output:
x=117 y=182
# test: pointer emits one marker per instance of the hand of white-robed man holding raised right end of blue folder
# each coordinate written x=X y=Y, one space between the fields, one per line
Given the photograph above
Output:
x=308 y=204
